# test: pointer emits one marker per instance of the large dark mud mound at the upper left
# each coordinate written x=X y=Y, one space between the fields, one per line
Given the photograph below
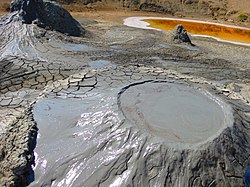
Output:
x=47 y=14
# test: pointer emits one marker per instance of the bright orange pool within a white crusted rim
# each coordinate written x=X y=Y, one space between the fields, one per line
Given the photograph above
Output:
x=222 y=32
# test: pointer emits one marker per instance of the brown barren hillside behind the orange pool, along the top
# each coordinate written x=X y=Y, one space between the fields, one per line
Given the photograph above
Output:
x=218 y=11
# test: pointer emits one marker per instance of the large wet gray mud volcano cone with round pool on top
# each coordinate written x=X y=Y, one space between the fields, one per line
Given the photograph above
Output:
x=92 y=141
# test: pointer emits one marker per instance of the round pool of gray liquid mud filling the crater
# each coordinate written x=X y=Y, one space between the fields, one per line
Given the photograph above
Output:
x=176 y=112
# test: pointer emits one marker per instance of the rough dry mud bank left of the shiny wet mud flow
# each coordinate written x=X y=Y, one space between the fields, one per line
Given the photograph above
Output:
x=17 y=146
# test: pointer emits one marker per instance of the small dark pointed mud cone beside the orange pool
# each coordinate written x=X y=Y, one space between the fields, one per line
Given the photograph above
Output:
x=181 y=35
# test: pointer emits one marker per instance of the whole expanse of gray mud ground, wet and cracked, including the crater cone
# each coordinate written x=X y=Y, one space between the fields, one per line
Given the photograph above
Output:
x=72 y=90
